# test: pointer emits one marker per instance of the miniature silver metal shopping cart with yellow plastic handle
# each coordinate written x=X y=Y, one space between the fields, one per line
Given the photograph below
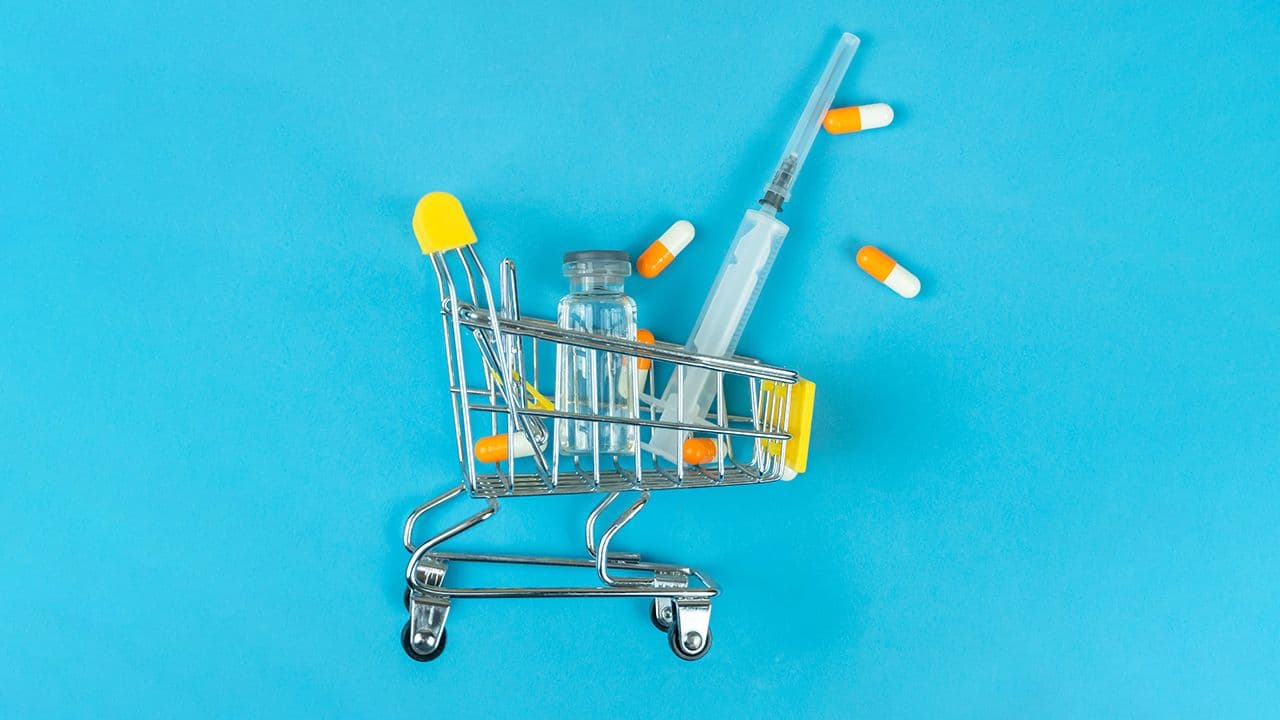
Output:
x=495 y=359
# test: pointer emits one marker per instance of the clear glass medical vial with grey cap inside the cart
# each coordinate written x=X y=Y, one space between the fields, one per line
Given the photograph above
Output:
x=593 y=382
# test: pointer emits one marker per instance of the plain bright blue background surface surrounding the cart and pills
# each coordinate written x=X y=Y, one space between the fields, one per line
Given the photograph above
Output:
x=1048 y=487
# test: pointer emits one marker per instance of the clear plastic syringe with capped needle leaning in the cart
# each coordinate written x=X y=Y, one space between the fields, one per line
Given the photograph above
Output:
x=738 y=286
